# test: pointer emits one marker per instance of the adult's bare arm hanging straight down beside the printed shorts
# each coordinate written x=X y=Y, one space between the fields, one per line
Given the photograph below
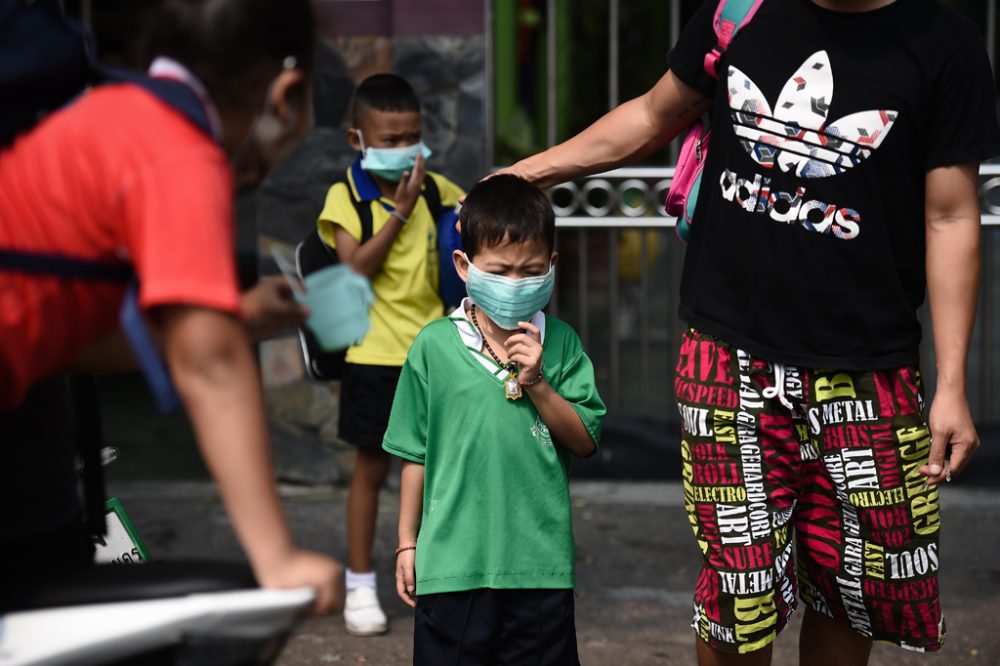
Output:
x=952 y=232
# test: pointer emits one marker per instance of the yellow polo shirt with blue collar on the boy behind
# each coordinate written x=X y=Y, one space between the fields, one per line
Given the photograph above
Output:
x=406 y=286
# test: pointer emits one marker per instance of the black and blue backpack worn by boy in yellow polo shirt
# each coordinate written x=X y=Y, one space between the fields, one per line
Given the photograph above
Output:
x=313 y=254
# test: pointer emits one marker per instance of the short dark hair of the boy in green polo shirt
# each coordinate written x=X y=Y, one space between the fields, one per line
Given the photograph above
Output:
x=509 y=209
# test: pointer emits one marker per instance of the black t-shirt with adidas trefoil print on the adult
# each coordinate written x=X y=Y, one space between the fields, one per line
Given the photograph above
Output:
x=808 y=241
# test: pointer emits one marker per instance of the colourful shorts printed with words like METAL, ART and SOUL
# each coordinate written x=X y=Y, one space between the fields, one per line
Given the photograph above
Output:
x=828 y=459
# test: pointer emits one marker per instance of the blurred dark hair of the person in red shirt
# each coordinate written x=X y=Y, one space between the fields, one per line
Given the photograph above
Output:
x=225 y=42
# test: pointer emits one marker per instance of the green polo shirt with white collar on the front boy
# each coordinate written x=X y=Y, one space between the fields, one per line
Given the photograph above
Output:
x=496 y=510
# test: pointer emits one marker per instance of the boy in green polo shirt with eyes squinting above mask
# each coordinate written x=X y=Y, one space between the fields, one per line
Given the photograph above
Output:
x=491 y=404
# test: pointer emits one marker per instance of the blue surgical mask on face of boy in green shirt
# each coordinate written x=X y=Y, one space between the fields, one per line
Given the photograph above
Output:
x=509 y=300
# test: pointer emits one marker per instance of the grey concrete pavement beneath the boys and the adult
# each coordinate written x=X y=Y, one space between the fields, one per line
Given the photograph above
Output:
x=636 y=564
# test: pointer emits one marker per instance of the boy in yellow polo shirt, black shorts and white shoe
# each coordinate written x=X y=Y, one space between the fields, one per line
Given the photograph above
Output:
x=379 y=222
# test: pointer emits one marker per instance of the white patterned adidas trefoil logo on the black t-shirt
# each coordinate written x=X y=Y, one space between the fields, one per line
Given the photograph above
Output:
x=795 y=134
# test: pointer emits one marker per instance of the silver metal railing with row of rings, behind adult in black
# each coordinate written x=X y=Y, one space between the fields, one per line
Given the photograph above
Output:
x=618 y=284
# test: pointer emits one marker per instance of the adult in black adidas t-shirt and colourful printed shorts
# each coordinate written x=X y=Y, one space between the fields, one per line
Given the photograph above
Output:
x=841 y=185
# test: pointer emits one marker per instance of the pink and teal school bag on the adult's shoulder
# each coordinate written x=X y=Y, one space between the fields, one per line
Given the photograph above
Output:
x=730 y=17
